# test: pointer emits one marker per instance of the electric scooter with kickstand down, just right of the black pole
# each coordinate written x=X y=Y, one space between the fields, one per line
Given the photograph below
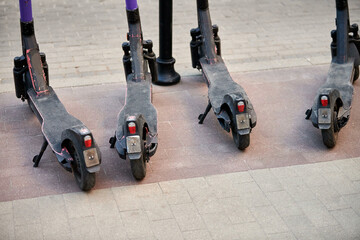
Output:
x=228 y=99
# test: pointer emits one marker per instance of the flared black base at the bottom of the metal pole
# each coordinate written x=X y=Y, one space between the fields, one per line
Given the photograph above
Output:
x=166 y=72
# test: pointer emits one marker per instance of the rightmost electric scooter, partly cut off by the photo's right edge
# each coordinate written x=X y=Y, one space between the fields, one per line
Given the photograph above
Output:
x=331 y=109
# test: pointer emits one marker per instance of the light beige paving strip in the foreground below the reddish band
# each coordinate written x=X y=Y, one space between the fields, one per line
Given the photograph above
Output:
x=313 y=201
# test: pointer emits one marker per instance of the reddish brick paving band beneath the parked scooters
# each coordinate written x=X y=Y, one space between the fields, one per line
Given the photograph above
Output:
x=282 y=136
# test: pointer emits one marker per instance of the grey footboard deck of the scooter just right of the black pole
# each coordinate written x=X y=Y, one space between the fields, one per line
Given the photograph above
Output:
x=221 y=84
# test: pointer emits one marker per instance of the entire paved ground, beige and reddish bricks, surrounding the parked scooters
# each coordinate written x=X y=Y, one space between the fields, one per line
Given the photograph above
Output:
x=286 y=185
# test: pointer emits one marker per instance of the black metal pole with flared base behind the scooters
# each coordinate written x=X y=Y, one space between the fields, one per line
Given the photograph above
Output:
x=165 y=61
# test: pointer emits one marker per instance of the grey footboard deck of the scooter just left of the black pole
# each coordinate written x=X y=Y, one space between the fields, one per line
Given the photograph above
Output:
x=138 y=102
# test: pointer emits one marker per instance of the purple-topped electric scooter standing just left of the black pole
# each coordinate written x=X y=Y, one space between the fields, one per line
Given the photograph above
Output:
x=136 y=135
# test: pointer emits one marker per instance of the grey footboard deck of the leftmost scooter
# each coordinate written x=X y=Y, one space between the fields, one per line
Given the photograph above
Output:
x=53 y=116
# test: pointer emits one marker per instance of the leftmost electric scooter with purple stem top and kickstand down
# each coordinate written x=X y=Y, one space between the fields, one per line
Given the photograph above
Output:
x=71 y=141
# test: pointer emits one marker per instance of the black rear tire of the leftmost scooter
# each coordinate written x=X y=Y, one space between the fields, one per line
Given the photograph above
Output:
x=83 y=178
